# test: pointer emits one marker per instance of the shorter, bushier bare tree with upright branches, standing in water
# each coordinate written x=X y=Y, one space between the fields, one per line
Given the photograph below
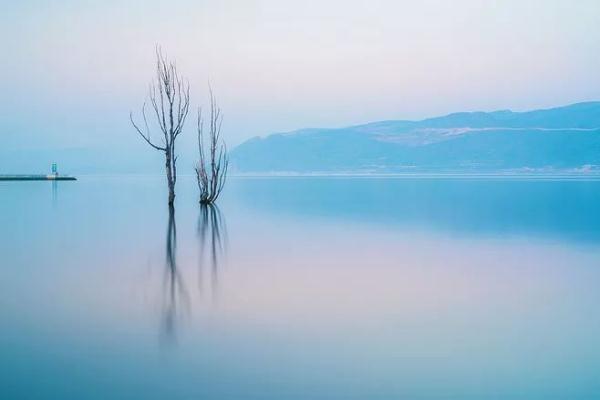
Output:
x=211 y=172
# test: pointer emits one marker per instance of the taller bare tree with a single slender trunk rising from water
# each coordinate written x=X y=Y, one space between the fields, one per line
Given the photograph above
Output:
x=170 y=99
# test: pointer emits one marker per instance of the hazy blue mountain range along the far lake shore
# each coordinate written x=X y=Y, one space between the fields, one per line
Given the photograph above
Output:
x=563 y=139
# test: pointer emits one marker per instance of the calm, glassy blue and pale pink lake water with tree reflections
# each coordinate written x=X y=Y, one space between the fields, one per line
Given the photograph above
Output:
x=301 y=288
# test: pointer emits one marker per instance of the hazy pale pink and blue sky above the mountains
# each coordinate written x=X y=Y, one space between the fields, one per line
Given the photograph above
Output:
x=71 y=70
